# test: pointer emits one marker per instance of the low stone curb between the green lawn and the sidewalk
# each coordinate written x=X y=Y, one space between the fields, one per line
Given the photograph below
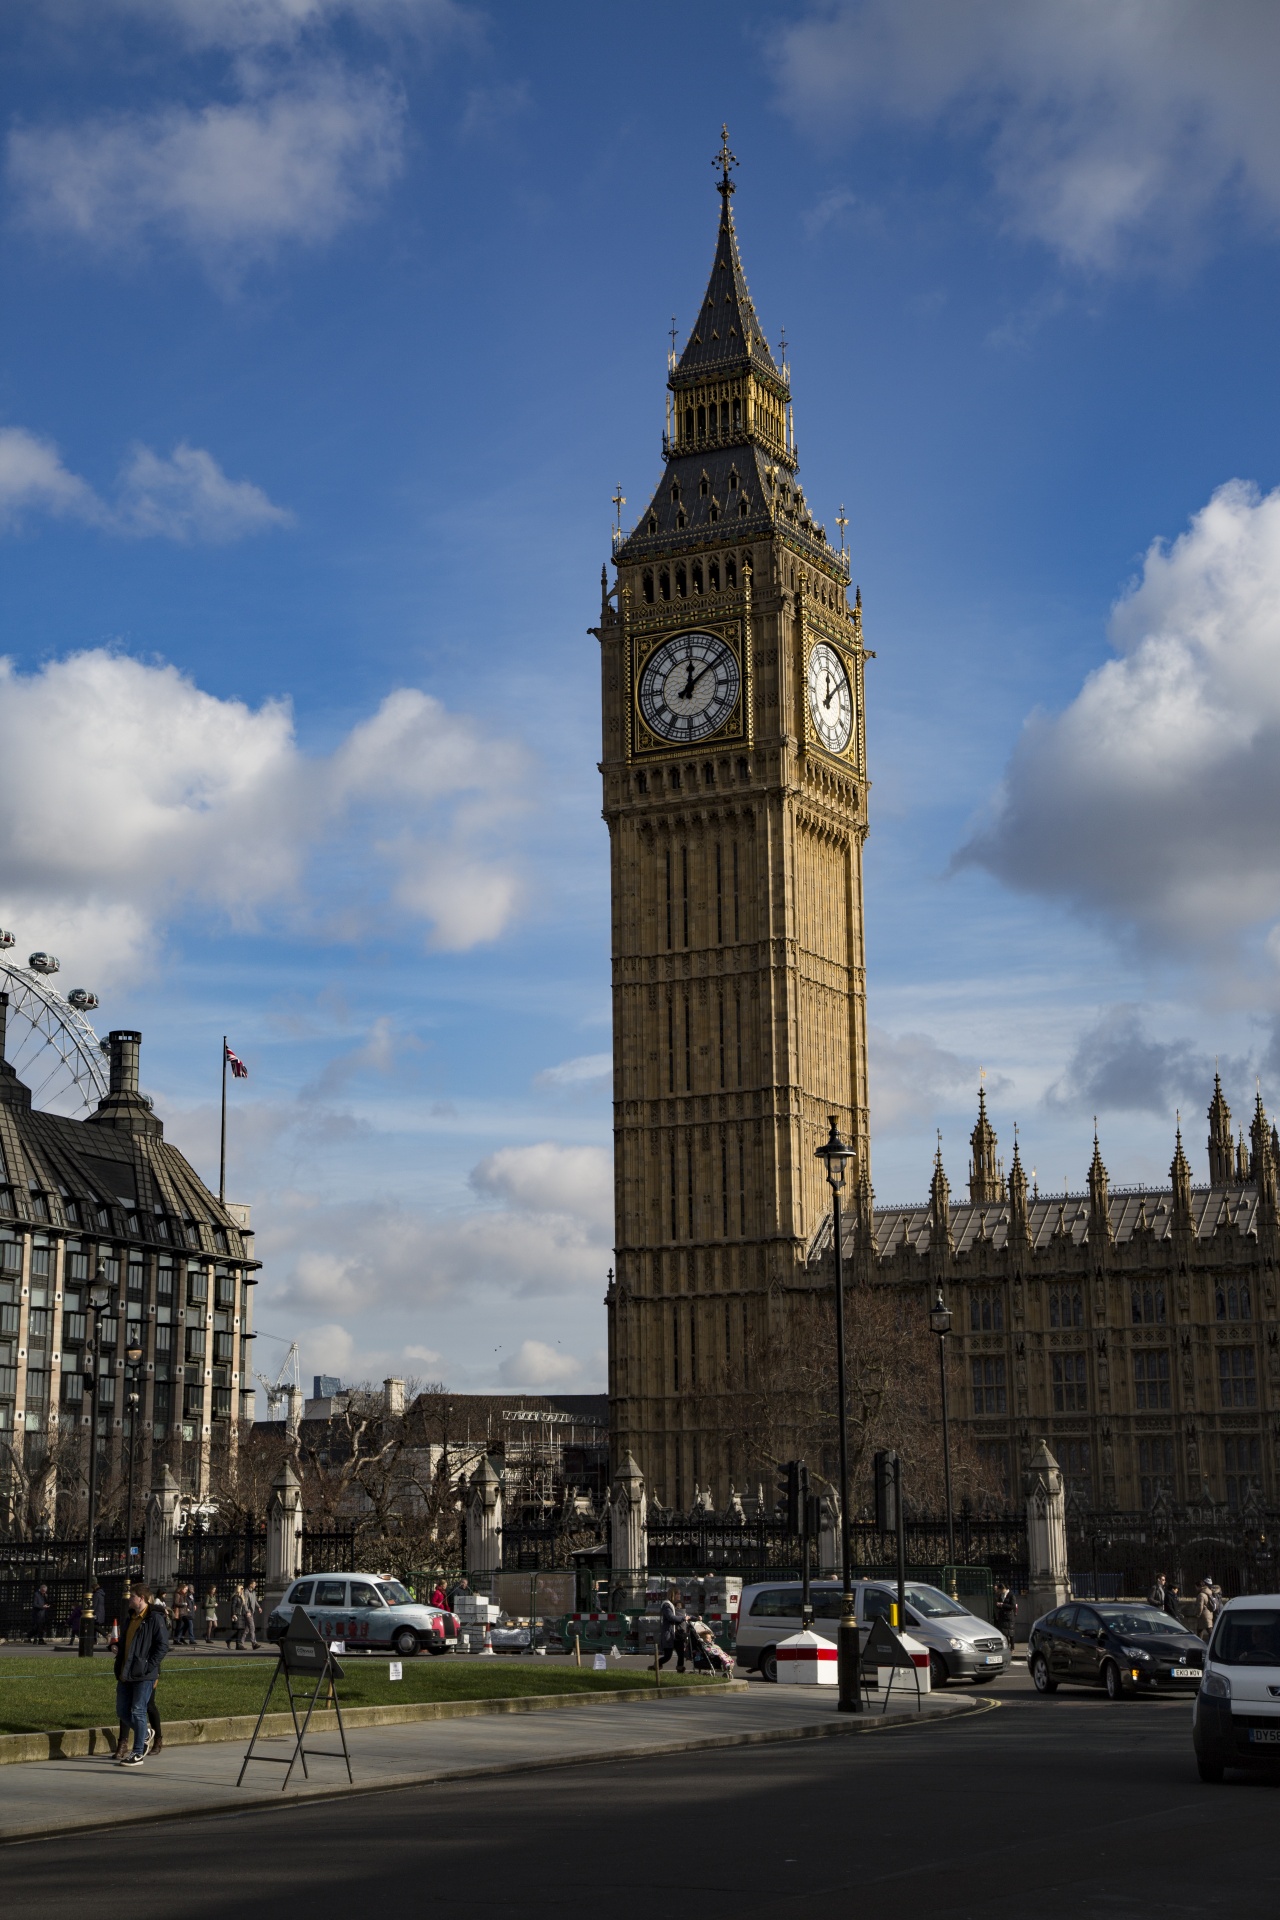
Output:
x=82 y=1742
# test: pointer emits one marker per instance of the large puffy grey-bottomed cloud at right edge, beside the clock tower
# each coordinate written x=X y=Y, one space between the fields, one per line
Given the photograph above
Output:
x=1154 y=798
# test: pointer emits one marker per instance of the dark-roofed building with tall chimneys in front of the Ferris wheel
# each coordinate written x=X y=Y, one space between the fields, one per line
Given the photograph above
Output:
x=110 y=1191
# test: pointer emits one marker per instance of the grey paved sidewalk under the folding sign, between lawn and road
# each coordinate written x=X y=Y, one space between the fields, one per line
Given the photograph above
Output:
x=72 y=1796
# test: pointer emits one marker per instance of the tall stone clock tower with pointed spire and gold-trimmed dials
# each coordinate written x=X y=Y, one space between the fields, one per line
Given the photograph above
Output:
x=738 y=802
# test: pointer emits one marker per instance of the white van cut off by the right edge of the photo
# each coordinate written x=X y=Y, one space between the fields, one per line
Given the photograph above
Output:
x=1237 y=1717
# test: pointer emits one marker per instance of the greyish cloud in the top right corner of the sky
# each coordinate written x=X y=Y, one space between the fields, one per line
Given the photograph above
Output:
x=1106 y=124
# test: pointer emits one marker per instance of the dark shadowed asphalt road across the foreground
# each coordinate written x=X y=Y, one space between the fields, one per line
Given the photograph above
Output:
x=1060 y=1808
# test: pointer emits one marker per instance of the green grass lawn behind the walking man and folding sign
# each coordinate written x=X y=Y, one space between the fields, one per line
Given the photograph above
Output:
x=43 y=1694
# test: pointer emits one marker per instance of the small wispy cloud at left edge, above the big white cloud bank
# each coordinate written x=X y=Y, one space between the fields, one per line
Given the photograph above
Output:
x=185 y=498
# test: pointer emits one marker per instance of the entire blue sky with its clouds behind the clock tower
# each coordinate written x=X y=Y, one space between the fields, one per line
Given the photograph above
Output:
x=329 y=331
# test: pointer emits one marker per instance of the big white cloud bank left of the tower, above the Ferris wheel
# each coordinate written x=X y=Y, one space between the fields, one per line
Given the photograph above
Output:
x=133 y=798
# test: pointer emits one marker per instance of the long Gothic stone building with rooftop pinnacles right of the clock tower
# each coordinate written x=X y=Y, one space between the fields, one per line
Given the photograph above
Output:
x=1135 y=1330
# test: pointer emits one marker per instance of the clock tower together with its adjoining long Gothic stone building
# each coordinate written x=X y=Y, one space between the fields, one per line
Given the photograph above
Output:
x=1133 y=1330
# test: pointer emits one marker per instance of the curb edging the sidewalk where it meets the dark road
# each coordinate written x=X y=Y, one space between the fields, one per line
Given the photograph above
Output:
x=444 y=1777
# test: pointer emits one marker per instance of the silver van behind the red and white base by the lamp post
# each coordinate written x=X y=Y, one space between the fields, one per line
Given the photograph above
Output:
x=960 y=1646
